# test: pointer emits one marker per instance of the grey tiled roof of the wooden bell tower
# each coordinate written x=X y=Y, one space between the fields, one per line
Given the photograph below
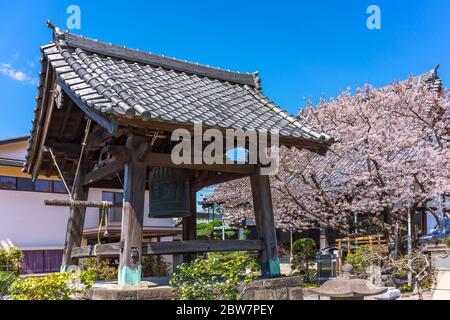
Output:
x=122 y=82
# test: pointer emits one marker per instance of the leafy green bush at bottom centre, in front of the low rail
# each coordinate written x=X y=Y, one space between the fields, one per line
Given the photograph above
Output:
x=212 y=278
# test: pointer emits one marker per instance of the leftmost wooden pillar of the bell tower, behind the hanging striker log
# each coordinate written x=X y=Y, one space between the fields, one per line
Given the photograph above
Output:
x=75 y=224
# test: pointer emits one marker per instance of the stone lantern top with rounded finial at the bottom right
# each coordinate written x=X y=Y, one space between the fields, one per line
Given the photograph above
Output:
x=346 y=287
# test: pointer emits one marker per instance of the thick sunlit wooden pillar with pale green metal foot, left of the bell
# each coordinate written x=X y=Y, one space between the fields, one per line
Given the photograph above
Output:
x=132 y=215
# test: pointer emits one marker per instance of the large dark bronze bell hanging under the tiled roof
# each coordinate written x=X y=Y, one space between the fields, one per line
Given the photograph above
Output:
x=169 y=193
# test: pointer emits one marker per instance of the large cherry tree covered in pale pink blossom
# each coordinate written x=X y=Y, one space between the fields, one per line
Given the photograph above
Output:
x=392 y=156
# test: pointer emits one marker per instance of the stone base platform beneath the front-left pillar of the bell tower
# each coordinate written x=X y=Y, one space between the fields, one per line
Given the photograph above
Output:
x=149 y=289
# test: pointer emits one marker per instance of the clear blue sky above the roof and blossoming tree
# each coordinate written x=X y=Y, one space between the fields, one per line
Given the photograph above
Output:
x=302 y=49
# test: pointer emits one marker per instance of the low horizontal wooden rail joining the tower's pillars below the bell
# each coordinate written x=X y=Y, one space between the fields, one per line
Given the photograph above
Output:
x=173 y=247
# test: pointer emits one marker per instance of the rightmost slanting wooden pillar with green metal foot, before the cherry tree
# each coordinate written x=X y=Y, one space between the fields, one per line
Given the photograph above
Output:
x=265 y=225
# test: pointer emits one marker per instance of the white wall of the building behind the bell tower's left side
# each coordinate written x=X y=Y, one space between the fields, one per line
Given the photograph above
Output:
x=28 y=223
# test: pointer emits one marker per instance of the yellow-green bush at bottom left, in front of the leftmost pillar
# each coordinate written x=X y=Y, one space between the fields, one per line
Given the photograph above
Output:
x=55 y=286
